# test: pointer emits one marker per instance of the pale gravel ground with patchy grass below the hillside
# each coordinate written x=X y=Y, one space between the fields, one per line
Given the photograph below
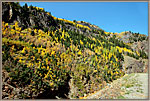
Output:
x=132 y=86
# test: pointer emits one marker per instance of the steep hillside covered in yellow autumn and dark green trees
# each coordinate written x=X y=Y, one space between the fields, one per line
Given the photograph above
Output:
x=48 y=57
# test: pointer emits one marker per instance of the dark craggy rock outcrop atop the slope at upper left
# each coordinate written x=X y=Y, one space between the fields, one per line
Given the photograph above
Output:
x=26 y=18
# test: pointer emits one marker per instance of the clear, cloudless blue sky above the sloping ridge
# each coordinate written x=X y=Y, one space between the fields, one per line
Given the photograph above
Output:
x=110 y=16
